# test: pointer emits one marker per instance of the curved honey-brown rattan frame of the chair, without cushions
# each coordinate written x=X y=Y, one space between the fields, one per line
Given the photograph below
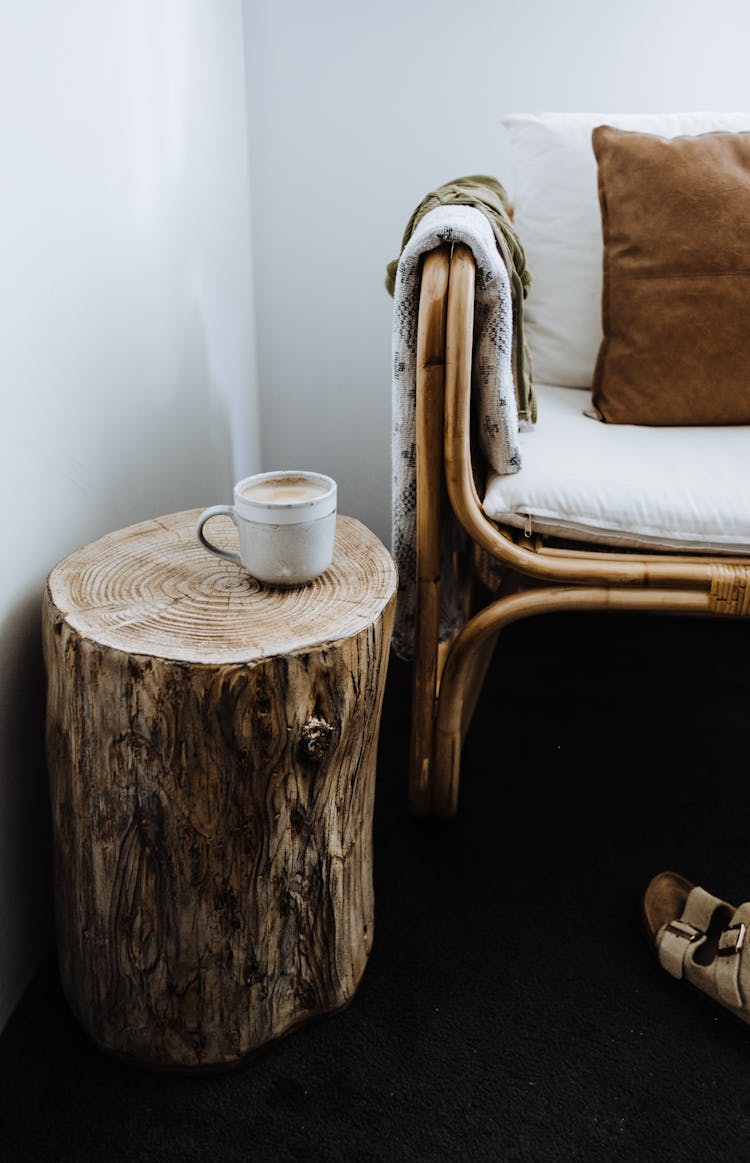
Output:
x=518 y=575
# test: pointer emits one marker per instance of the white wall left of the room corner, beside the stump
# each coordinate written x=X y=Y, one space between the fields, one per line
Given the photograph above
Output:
x=127 y=354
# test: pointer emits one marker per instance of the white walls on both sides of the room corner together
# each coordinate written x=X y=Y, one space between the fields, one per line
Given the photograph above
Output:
x=126 y=308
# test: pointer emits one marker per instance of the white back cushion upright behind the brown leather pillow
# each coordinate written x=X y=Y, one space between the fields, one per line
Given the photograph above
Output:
x=555 y=195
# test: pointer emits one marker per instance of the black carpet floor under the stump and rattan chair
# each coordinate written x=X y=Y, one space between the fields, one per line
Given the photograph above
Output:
x=511 y=1010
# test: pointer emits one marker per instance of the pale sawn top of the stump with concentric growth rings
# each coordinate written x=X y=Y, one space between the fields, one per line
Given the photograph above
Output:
x=141 y=593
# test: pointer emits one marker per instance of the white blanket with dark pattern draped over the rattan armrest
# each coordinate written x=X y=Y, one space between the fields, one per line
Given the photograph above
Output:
x=494 y=398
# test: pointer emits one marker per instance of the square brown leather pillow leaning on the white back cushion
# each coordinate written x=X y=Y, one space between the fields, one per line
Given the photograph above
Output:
x=676 y=291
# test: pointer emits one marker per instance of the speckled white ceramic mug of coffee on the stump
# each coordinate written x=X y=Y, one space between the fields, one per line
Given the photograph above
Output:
x=287 y=523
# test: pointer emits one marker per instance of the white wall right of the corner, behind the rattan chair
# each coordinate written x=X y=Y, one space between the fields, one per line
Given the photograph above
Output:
x=358 y=112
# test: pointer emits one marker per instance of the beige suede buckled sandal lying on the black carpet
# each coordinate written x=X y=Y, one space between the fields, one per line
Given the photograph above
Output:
x=702 y=940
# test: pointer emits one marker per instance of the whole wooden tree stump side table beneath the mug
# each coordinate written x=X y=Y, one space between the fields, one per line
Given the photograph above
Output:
x=212 y=748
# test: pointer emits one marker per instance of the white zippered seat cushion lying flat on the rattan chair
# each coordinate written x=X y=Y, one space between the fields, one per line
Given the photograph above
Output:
x=681 y=489
